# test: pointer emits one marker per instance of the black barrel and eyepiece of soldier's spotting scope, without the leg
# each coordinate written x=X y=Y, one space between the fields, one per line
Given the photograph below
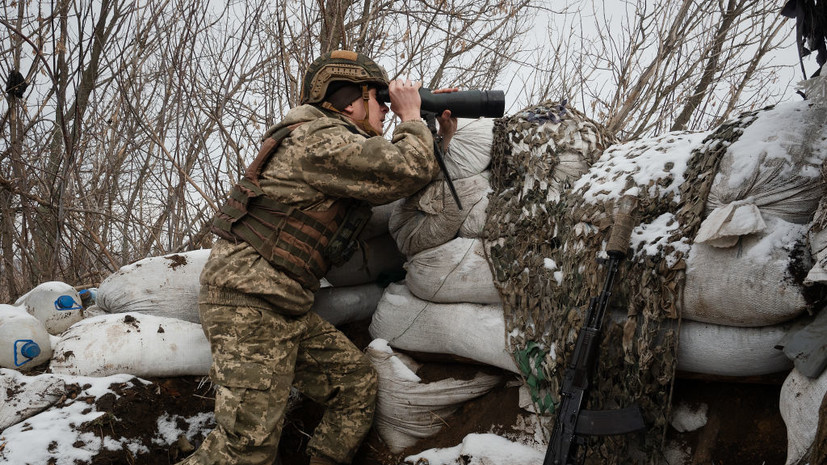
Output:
x=463 y=104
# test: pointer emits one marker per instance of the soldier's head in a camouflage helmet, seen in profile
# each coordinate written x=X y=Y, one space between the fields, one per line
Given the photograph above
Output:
x=346 y=82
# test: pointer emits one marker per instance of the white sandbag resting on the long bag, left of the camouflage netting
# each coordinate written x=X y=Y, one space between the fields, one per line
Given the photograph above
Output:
x=456 y=271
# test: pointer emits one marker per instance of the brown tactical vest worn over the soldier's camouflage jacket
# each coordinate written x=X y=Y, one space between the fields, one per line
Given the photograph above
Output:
x=301 y=243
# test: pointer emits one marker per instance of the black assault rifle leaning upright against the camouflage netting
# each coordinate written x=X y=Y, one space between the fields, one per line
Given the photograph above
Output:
x=573 y=422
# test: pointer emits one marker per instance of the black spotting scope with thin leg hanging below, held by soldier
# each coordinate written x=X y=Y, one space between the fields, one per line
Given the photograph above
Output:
x=463 y=104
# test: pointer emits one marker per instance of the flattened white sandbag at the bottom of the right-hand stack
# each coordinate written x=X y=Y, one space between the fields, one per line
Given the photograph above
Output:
x=731 y=351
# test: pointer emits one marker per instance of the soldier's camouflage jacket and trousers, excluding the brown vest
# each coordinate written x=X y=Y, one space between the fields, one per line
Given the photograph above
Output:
x=263 y=337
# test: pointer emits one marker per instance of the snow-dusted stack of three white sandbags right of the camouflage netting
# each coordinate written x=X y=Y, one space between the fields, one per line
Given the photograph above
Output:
x=745 y=271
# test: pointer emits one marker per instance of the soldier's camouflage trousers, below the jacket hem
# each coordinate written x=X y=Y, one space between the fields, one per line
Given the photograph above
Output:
x=258 y=355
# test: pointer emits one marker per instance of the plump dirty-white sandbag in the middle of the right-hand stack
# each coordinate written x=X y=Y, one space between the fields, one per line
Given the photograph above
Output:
x=749 y=284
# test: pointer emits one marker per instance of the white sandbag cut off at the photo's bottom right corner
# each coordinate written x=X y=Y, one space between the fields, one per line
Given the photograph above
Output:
x=801 y=398
